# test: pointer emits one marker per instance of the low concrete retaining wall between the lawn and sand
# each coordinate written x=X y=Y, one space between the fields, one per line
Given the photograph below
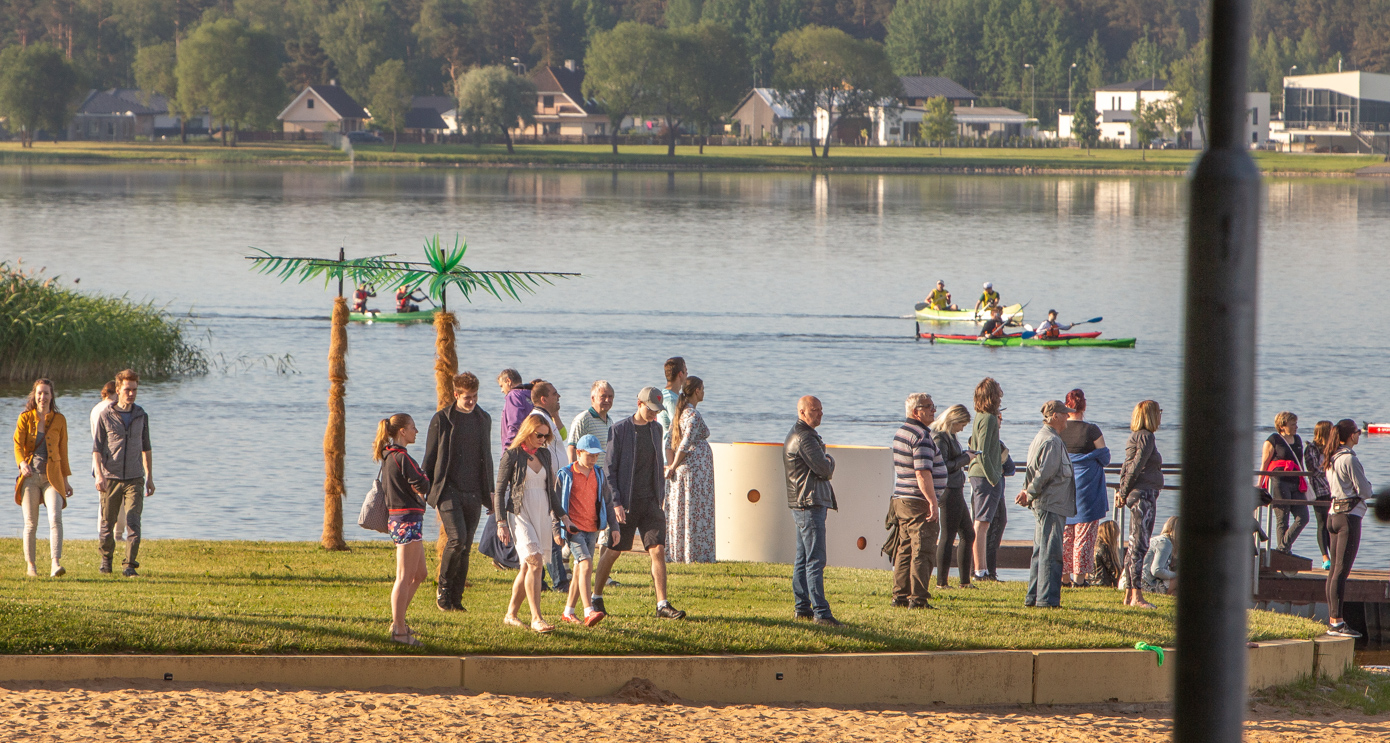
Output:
x=963 y=678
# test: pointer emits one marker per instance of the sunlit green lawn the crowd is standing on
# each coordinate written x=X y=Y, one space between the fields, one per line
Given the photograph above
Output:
x=295 y=598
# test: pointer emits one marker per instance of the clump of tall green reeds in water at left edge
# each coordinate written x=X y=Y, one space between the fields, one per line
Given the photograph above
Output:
x=65 y=335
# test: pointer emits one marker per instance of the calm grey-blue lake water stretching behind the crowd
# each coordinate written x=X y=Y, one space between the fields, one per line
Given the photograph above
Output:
x=771 y=285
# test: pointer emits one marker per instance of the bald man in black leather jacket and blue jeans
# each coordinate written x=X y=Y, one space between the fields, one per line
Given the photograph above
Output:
x=811 y=496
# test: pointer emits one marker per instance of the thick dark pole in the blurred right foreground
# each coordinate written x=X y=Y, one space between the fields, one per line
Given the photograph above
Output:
x=1218 y=405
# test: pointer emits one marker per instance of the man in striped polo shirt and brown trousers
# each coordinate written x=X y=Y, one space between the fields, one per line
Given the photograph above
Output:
x=919 y=473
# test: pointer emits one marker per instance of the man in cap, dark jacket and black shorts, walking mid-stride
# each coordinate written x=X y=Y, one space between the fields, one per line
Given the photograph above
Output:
x=635 y=471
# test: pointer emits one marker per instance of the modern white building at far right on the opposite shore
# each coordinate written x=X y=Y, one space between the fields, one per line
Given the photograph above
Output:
x=1348 y=112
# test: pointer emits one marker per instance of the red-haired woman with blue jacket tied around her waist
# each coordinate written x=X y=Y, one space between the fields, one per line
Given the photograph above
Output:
x=1089 y=455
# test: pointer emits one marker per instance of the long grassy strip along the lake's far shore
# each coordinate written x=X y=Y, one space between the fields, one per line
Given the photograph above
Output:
x=640 y=156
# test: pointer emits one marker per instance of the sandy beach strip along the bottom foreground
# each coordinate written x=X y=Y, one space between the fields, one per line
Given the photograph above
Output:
x=172 y=712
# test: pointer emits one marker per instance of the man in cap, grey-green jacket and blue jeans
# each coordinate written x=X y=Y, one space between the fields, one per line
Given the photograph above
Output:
x=1050 y=491
